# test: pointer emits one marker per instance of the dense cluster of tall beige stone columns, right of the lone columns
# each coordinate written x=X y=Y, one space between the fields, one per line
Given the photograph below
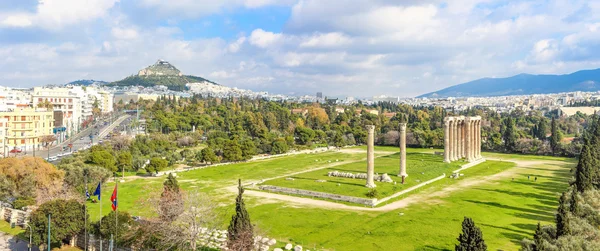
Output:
x=462 y=138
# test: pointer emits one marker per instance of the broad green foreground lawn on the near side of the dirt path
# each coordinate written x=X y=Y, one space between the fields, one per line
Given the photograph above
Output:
x=506 y=211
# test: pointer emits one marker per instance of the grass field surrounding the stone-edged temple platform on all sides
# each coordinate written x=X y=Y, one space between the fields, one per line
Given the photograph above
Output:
x=507 y=210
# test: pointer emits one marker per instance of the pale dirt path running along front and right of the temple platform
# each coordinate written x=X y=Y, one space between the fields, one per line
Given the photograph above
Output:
x=419 y=197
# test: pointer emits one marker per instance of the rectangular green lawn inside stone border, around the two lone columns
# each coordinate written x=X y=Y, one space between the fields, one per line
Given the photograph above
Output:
x=420 y=167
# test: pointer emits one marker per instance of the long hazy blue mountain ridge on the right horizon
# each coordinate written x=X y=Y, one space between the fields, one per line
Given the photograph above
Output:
x=523 y=84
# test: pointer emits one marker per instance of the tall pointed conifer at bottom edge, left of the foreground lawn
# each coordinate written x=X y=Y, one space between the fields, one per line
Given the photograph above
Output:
x=239 y=233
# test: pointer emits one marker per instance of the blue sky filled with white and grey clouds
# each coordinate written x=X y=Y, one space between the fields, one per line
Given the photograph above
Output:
x=340 y=47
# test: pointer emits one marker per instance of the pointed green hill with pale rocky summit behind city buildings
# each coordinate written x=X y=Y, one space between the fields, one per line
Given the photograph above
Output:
x=161 y=73
